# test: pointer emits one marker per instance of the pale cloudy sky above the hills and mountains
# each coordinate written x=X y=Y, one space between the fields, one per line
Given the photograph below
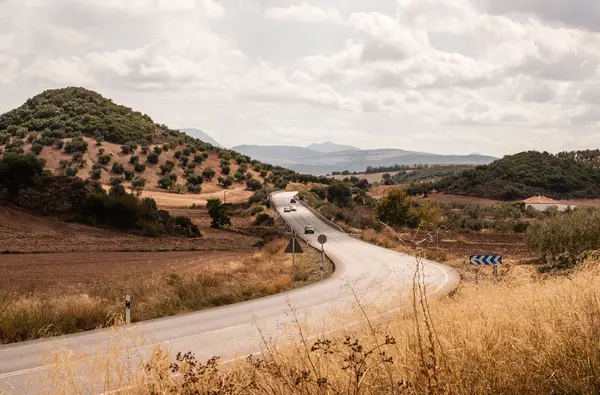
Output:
x=446 y=76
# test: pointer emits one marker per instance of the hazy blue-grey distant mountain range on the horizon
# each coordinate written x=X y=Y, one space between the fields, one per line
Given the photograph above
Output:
x=327 y=157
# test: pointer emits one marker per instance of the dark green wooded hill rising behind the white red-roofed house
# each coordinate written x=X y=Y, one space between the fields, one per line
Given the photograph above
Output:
x=567 y=175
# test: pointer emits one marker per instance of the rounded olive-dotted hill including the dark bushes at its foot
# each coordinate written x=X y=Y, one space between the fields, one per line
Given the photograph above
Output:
x=63 y=148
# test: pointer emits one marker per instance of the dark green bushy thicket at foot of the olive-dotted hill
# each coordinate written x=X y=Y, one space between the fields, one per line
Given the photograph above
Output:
x=24 y=182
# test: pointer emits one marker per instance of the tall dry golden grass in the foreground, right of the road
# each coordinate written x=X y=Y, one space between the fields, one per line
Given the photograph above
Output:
x=522 y=334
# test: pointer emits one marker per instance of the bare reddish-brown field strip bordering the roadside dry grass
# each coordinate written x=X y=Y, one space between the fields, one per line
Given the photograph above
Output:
x=66 y=273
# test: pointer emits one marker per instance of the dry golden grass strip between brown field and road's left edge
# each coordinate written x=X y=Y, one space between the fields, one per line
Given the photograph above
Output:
x=264 y=273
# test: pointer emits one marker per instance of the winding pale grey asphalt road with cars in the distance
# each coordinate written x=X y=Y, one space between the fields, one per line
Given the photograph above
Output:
x=380 y=279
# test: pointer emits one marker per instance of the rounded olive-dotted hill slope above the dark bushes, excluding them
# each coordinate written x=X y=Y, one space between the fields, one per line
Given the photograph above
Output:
x=78 y=131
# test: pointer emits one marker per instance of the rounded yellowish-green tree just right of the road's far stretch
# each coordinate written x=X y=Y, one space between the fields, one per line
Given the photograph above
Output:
x=396 y=210
